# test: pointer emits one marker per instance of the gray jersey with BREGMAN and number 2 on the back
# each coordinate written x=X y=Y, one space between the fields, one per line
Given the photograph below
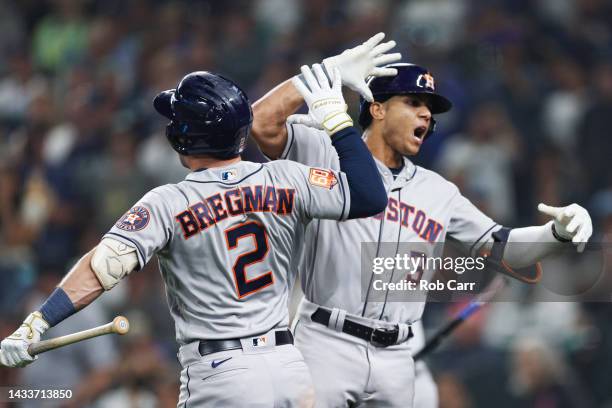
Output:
x=226 y=239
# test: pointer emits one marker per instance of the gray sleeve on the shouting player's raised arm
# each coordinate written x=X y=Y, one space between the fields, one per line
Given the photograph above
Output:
x=309 y=146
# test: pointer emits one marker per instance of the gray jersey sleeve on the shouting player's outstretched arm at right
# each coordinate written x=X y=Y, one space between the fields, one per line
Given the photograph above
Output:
x=467 y=223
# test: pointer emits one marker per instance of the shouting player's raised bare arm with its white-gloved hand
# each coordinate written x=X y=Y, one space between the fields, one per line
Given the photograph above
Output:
x=356 y=64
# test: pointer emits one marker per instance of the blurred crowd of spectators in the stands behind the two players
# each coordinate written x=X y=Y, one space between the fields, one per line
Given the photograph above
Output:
x=531 y=82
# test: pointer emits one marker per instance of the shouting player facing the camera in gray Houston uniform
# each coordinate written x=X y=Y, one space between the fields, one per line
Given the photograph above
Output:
x=358 y=350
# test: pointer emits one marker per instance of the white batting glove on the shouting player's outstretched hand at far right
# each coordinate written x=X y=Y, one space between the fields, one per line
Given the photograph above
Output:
x=572 y=223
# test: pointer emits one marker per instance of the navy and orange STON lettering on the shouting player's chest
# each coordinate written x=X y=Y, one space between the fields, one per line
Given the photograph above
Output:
x=426 y=228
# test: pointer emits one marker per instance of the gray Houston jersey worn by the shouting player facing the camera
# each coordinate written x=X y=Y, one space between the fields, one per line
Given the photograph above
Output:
x=422 y=207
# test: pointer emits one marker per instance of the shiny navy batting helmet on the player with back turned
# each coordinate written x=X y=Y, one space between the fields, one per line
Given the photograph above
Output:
x=209 y=114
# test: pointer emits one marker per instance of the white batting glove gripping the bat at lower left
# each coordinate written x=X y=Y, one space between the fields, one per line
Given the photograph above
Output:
x=14 y=349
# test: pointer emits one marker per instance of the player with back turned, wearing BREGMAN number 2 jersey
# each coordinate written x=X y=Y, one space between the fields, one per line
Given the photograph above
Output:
x=225 y=239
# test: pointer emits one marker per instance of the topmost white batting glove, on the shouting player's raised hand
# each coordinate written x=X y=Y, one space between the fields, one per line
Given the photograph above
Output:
x=357 y=64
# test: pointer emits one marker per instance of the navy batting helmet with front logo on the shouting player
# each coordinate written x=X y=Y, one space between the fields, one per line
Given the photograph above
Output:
x=410 y=79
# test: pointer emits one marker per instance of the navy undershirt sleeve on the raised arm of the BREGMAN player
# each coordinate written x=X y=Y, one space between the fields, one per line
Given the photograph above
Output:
x=368 y=194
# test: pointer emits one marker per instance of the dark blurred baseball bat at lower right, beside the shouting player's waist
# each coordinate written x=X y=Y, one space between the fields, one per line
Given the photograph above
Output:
x=475 y=305
